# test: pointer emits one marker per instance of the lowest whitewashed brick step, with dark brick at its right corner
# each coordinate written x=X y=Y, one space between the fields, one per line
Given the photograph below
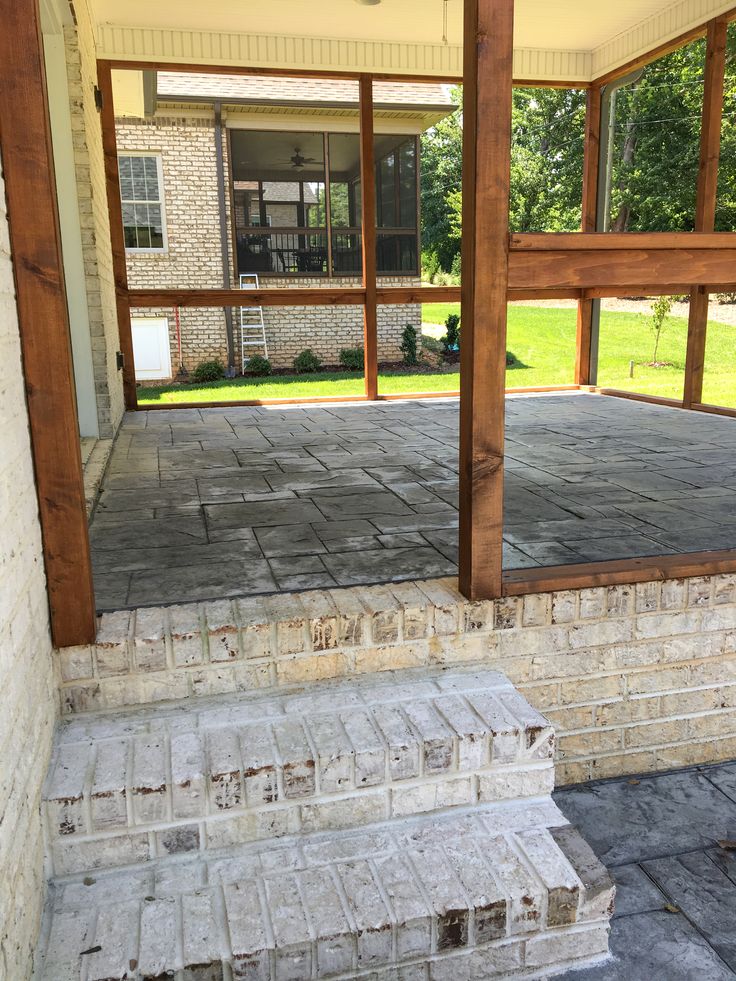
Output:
x=506 y=890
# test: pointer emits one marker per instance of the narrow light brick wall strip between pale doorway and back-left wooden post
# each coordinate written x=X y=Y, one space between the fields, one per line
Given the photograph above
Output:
x=97 y=253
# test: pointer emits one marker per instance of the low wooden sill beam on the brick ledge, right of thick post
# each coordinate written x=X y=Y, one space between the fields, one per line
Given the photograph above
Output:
x=519 y=582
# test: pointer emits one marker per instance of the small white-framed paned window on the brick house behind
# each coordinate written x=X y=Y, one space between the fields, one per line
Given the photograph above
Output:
x=141 y=194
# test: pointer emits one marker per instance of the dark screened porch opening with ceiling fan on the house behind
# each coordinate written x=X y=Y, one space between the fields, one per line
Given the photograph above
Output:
x=297 y=199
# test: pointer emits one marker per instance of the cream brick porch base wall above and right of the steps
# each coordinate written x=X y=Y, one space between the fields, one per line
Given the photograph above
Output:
x=634 y=678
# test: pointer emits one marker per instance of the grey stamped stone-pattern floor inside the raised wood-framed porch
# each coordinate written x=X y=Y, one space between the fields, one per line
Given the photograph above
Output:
x=209 y=503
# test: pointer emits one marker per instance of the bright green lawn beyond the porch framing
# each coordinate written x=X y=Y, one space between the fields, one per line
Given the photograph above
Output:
x=543 y=341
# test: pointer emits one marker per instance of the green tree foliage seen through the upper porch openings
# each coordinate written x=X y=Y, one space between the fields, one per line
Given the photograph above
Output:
x=655 y=156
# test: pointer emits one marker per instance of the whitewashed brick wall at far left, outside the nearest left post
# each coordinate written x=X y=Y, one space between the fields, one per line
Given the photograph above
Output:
x=28 y=704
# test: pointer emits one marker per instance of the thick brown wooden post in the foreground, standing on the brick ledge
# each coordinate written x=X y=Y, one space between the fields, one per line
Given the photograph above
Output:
x=487 y=92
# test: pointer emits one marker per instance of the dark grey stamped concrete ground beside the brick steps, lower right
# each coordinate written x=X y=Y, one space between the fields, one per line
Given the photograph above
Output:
x=663 y=838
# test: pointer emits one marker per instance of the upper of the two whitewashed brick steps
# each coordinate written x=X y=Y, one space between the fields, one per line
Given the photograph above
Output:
x=213 y=773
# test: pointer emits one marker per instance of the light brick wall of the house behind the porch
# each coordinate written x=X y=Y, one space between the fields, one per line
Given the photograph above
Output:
x=193 y=259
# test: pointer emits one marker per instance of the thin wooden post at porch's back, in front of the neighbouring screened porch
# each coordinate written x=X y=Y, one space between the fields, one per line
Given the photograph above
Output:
x=368 y=221
